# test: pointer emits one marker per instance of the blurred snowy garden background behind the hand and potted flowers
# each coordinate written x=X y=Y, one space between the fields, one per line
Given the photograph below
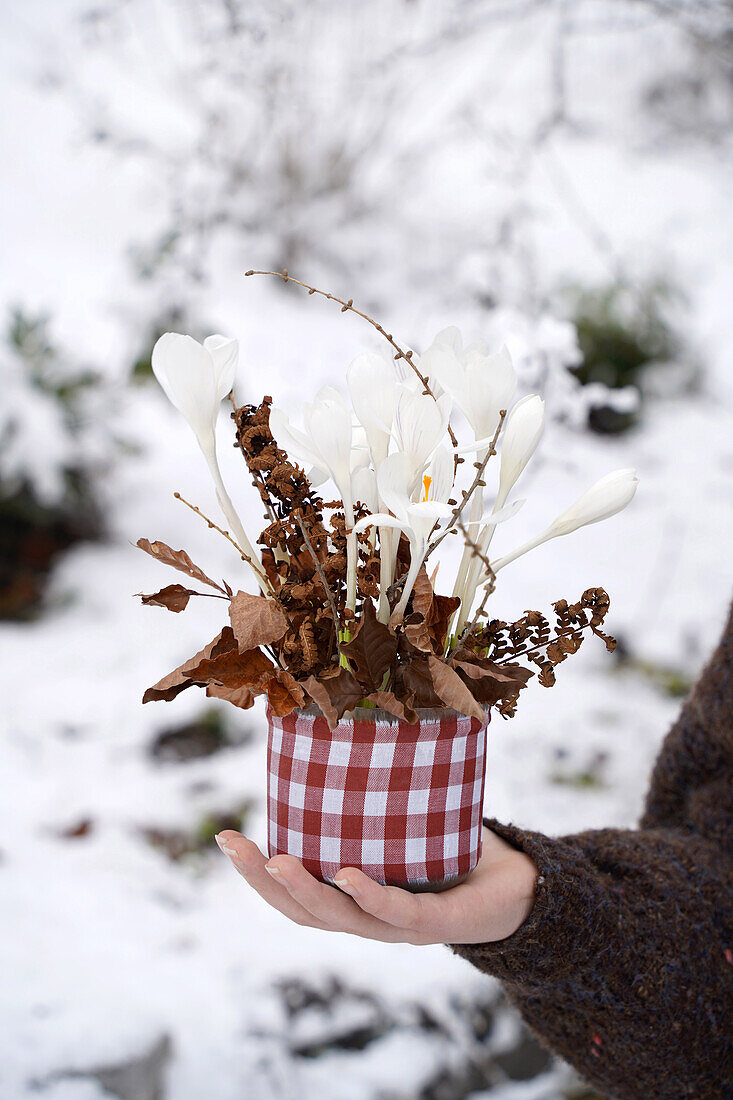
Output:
x=554 y=175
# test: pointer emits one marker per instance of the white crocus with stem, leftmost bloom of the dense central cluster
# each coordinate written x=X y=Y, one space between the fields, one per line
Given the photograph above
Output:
x=327 y=445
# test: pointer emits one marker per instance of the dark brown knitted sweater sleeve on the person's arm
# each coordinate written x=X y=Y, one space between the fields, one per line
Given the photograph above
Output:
x=626 y=964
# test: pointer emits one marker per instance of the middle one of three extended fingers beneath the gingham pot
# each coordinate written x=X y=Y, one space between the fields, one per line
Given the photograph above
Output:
x=332 y=908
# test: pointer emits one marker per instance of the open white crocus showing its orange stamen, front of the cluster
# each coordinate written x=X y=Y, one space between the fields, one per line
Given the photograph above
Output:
x=418 y=520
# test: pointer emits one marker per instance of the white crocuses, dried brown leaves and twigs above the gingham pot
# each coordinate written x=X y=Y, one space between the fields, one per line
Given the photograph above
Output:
x=347 y=614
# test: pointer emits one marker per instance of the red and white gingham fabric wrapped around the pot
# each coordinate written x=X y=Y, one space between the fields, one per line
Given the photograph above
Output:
x=402 y=802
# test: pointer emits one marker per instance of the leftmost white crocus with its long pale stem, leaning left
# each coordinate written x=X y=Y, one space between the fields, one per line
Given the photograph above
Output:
x=196 y=379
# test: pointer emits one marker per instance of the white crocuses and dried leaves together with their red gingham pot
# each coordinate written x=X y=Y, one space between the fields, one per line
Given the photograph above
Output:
x=379 y=688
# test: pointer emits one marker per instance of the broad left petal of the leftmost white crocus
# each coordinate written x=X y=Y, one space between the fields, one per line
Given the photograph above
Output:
x=185 y=371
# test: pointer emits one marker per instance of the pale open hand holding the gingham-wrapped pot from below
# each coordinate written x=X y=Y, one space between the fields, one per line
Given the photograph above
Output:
x=490 y=906
